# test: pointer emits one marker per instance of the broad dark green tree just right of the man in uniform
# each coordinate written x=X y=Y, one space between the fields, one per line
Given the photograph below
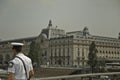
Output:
x=35 y=53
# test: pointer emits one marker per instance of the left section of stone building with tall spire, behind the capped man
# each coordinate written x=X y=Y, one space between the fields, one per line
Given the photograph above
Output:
x=43 y=39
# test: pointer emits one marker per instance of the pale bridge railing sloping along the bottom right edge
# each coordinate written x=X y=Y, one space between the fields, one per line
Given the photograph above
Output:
x=81 y=76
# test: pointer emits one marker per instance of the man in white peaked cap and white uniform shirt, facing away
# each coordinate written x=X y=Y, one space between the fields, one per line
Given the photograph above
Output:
x=20 y=68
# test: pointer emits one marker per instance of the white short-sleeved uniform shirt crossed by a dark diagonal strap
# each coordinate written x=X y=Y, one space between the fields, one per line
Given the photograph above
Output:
x=16 y=66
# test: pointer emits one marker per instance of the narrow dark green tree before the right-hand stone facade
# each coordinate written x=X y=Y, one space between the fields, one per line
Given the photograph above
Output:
x=92 y=56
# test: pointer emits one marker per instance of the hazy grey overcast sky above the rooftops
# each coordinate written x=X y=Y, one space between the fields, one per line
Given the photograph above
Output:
x=26 y=18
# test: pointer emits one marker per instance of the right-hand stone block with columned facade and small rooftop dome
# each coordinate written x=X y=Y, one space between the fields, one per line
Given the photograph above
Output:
x=73 y=48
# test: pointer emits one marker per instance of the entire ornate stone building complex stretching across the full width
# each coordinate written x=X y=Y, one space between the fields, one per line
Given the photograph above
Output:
x=67 y=49
